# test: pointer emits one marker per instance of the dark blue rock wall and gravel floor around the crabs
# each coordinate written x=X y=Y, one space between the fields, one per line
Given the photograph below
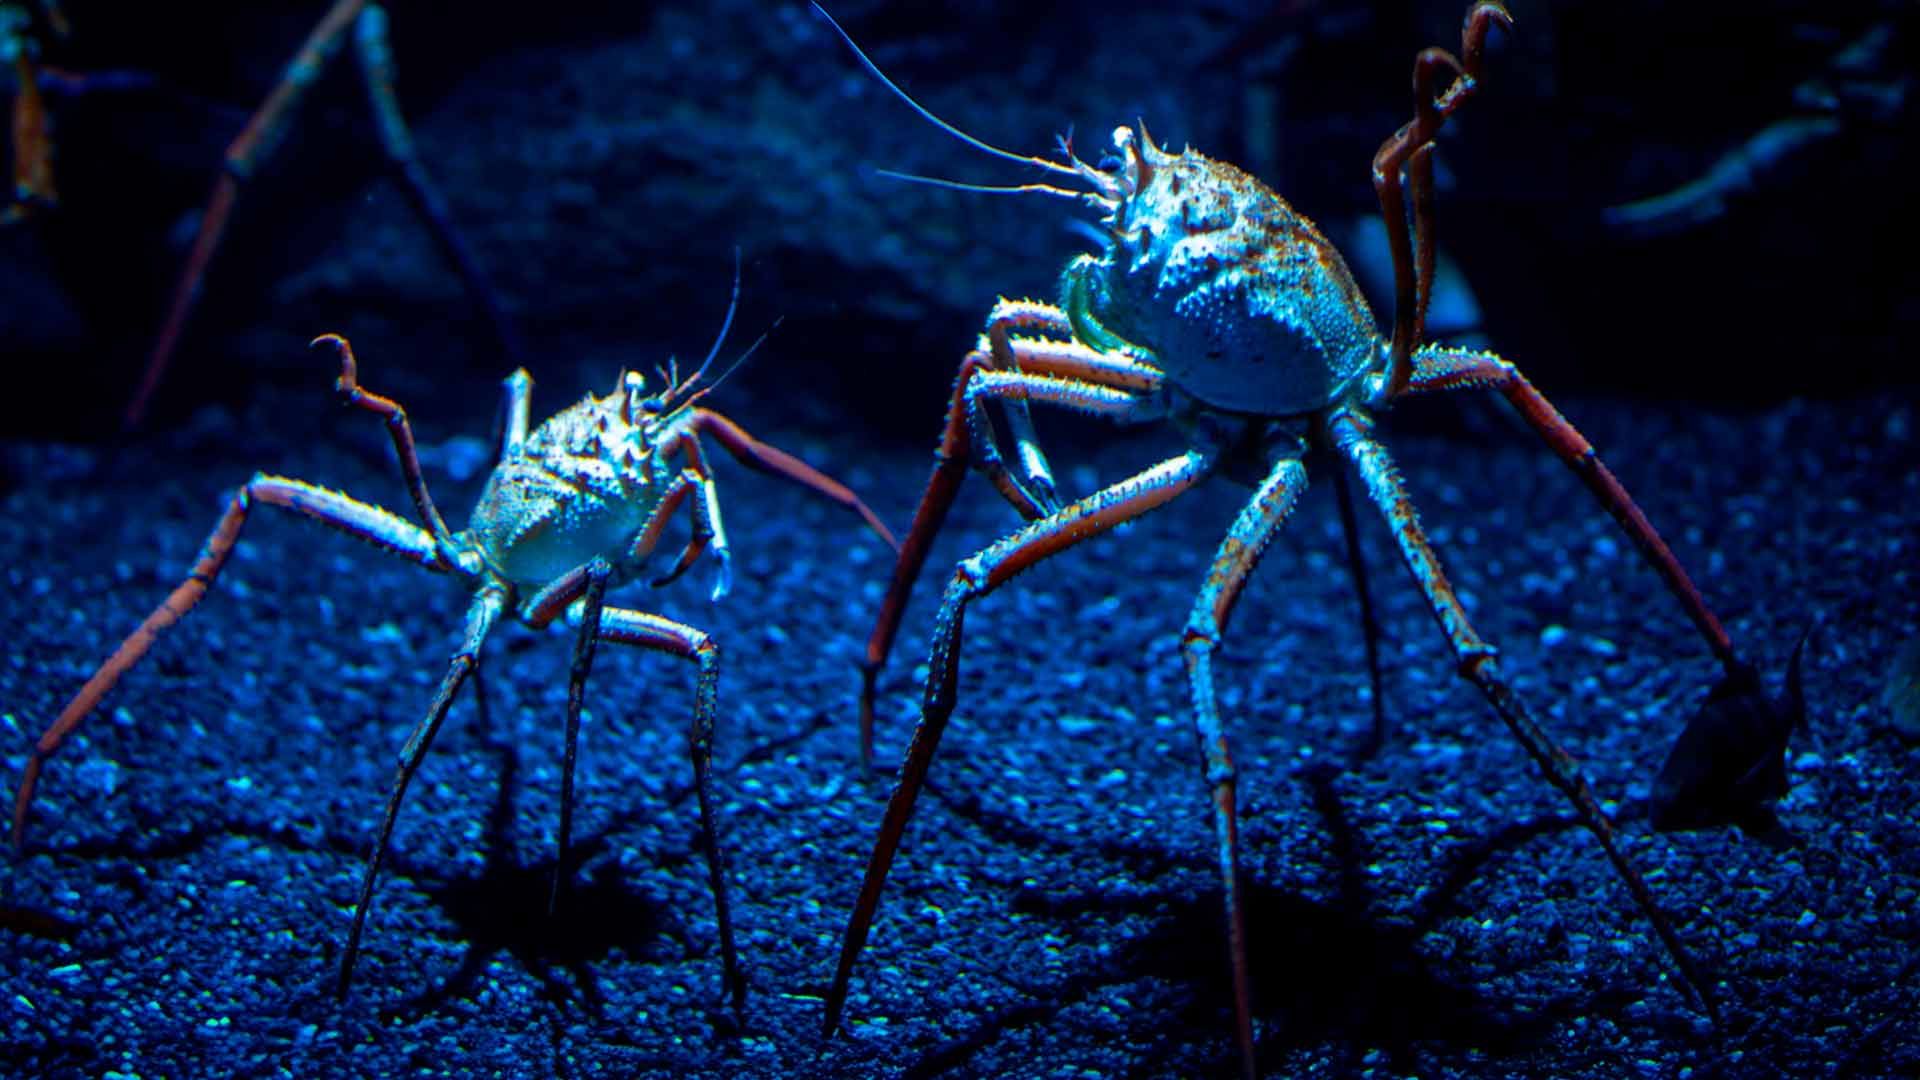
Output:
x=1431 y=912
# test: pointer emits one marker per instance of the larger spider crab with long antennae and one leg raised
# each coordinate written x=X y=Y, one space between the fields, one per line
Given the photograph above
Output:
x=1222 y=310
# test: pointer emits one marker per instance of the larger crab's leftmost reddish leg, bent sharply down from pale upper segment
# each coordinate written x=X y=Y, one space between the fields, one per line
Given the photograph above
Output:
x=959 y=441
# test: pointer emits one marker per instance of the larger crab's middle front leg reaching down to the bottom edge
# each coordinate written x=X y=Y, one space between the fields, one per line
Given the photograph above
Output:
x=1234 y=564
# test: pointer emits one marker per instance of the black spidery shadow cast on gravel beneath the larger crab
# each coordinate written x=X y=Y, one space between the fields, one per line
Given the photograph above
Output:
x=1330 y=971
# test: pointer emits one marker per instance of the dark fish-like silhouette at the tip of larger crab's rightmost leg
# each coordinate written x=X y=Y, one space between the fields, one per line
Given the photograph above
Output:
x=1729 y=764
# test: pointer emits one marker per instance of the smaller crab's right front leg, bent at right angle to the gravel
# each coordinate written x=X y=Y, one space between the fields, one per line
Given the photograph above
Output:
x=654 y=633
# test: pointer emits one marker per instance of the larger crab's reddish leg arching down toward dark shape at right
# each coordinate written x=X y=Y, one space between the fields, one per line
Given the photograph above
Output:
x=1452 y=370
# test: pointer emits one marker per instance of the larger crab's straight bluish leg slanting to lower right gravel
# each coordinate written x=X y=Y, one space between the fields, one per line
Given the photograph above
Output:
x=1479 y=666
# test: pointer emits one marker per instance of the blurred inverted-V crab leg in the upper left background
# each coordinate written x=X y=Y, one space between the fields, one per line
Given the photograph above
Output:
x=264 y=134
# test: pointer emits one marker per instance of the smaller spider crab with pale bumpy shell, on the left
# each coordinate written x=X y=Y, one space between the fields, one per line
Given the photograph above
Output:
x=575 y=508
